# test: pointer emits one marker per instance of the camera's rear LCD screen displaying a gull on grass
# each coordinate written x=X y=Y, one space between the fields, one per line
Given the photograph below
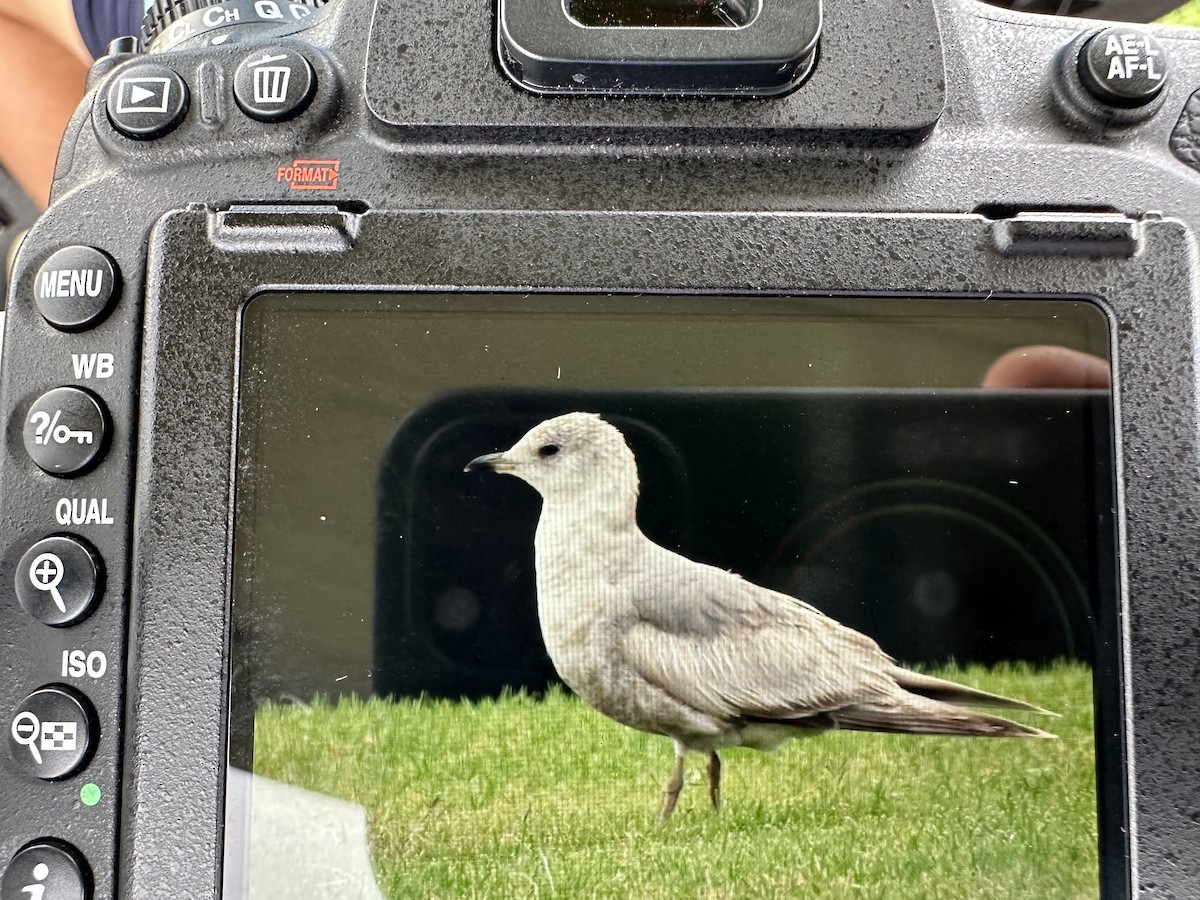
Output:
x=933 y=478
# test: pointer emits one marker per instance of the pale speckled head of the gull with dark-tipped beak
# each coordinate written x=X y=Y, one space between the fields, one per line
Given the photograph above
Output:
x=568 y=458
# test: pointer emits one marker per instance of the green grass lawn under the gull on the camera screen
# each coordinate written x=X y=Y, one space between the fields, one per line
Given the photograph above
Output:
x=526 y=799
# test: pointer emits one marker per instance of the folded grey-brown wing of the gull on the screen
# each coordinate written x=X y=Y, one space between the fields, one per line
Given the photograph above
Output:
x=734 y=650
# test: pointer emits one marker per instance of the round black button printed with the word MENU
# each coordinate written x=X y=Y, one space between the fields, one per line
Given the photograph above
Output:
x=76 y=287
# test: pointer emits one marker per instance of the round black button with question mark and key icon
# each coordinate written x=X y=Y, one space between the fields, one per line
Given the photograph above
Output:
x=67 y=431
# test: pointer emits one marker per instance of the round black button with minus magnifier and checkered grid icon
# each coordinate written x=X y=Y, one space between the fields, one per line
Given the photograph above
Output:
x=52 y=733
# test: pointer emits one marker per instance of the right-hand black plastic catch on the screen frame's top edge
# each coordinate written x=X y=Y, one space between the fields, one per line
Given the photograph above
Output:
x=1093 y=236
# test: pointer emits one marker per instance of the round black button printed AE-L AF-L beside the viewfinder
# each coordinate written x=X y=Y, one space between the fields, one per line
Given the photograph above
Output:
x=1124 y=68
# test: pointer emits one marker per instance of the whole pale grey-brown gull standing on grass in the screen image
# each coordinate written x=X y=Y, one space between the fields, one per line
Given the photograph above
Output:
x=674 y=647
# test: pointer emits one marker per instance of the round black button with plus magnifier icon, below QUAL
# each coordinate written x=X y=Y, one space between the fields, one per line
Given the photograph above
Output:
x=58 y=580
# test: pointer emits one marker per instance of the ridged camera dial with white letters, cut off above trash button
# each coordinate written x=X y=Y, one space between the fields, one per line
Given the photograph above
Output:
x=170 y=23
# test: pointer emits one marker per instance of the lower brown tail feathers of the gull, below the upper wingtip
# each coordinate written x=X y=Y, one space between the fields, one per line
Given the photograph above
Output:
x=917 y=716
